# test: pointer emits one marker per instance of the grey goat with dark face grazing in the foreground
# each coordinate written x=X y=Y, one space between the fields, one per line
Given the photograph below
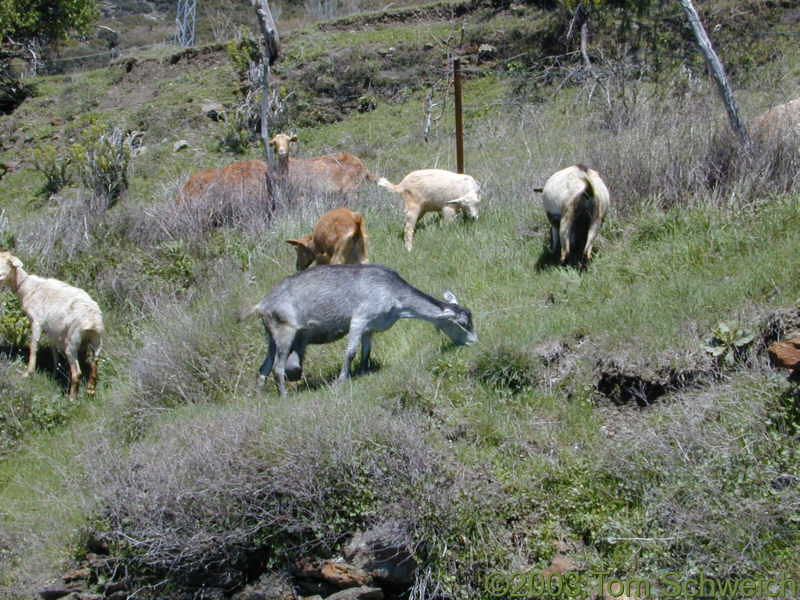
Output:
x=325 y=303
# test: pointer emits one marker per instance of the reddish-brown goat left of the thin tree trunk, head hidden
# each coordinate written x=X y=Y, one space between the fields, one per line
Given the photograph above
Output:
x=247 y=177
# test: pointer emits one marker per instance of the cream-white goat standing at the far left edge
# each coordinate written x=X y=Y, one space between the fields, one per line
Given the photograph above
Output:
x=68 y=315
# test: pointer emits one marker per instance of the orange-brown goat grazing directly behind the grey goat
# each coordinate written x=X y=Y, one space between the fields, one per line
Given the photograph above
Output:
x=340 y=237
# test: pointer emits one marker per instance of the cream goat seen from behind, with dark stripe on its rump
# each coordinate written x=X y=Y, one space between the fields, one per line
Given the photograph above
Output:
x=572 y=196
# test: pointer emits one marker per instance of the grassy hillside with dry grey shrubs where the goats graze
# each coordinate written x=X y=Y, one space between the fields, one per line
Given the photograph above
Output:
x=588 y=422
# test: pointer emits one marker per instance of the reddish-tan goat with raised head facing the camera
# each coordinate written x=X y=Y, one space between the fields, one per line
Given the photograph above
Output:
x=340 y=173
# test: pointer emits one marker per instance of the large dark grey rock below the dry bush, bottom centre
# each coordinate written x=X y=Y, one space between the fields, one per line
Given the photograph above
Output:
x=385 y=553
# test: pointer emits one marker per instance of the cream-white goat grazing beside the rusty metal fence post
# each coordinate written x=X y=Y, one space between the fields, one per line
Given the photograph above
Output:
x=435 y=190
